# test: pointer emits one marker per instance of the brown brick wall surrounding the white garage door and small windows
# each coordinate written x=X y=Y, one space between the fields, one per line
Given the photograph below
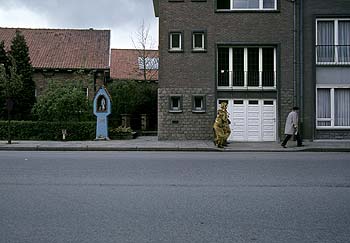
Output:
x=188 y=71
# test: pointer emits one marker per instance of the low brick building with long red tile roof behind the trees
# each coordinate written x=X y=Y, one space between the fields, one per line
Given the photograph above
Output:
x=66 y=54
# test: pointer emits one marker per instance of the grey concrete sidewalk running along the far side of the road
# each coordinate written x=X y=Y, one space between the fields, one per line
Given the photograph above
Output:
x=151 y=143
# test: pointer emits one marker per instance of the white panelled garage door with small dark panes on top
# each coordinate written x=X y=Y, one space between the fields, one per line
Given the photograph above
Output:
x=252 y=119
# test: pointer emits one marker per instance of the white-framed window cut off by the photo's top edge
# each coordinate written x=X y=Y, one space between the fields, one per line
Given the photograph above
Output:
x=246 y=4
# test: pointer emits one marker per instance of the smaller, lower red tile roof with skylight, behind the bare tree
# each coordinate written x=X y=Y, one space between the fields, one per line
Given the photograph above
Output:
x=125 y=66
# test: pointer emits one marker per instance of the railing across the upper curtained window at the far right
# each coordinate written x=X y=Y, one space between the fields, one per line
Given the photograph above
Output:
x=333 y=54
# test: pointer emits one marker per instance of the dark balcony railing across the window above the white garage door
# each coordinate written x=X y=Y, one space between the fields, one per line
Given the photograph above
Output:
x=243 y=79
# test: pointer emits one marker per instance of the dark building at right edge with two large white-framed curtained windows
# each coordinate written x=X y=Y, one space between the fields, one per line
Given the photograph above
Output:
x=326 y=68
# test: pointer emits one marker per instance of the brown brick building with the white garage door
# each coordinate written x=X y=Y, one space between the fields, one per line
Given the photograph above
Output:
x=241 y=52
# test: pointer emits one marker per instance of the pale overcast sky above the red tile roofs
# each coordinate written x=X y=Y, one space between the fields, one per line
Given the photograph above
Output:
x=122 y=17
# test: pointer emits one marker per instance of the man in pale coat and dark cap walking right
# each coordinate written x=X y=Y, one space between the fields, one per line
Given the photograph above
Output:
x=291 y=128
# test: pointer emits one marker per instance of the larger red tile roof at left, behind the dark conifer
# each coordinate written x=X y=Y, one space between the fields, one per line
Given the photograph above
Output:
x=64 y=48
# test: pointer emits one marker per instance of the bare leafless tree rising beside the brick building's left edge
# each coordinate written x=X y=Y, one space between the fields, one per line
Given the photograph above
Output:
x=148 y=59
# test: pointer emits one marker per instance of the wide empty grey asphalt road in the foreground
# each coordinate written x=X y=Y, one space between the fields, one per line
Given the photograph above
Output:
x=174 y=197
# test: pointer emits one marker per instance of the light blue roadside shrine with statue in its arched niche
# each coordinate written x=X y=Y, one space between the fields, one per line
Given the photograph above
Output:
x=102 y=109
